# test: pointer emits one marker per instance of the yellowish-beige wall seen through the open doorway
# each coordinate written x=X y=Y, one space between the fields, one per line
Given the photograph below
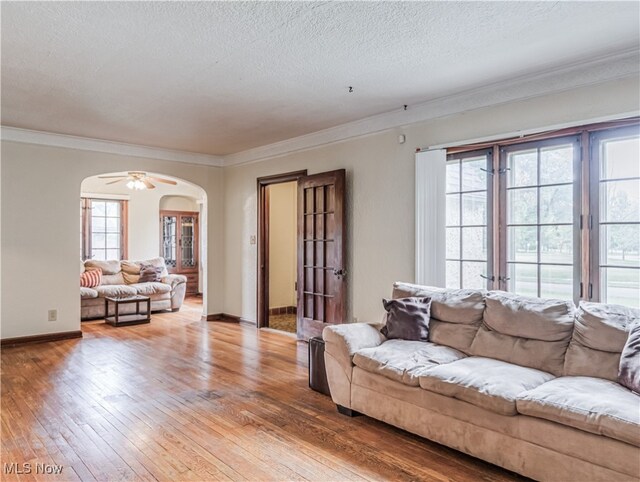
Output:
x=282 y=244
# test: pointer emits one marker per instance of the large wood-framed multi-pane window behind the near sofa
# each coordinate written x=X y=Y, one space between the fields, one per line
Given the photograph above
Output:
x=554 y=216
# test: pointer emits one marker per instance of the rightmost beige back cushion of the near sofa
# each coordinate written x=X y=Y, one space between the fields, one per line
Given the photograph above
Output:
x=600 y=333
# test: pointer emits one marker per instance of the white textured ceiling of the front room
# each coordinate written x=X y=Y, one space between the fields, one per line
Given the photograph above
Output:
x=223 y=77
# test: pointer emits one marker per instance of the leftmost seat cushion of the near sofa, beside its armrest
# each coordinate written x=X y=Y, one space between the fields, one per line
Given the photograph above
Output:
x=403 y=360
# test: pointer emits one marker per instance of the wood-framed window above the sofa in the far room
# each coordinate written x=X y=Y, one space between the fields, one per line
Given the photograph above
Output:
x=104 y=229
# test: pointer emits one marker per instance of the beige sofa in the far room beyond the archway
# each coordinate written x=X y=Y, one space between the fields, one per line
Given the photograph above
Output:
x=120 y=279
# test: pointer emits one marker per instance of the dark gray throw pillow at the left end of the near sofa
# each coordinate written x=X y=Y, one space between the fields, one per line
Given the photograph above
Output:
x=407 y=318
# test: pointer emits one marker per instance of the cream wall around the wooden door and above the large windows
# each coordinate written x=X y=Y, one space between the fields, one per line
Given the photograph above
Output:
x=380 y=189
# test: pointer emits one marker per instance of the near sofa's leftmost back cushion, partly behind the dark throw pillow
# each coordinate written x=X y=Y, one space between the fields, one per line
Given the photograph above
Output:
x=455 y=314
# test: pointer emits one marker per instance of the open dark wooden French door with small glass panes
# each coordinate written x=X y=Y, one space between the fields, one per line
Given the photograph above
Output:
x=321 y=252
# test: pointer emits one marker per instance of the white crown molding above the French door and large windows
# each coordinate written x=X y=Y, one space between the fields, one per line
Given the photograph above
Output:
x=579 y=74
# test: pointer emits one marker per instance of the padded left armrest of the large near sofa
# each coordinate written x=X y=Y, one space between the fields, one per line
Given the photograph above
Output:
x=342 y=341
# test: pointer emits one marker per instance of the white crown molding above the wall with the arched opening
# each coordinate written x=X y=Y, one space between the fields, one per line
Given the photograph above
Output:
x=15 y=134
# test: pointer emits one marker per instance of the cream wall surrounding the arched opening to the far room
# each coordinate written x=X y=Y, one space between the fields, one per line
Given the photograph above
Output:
x=40 y=222
